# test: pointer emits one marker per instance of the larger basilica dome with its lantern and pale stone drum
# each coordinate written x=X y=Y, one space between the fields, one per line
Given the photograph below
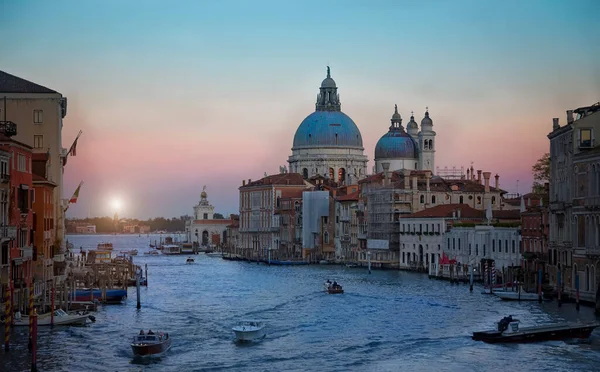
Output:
x=328 y=142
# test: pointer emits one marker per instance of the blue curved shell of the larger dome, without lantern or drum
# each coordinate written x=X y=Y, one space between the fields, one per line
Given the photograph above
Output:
x=327 y=128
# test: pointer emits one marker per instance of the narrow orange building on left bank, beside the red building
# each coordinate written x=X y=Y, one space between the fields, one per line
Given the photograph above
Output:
x=43 y=220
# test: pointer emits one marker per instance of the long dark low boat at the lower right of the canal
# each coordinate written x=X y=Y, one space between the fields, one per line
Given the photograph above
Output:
x=508 y=330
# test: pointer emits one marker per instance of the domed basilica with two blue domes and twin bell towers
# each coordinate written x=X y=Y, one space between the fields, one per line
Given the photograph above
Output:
x=329 y=143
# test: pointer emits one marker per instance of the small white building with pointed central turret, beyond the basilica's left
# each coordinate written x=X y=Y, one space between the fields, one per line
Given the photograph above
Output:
x=204 y=230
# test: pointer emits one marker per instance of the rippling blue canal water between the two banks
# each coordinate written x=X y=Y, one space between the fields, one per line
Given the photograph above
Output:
x=385 y=321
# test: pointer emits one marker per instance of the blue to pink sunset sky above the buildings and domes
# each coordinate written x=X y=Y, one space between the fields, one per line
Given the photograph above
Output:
x=172 y=96
